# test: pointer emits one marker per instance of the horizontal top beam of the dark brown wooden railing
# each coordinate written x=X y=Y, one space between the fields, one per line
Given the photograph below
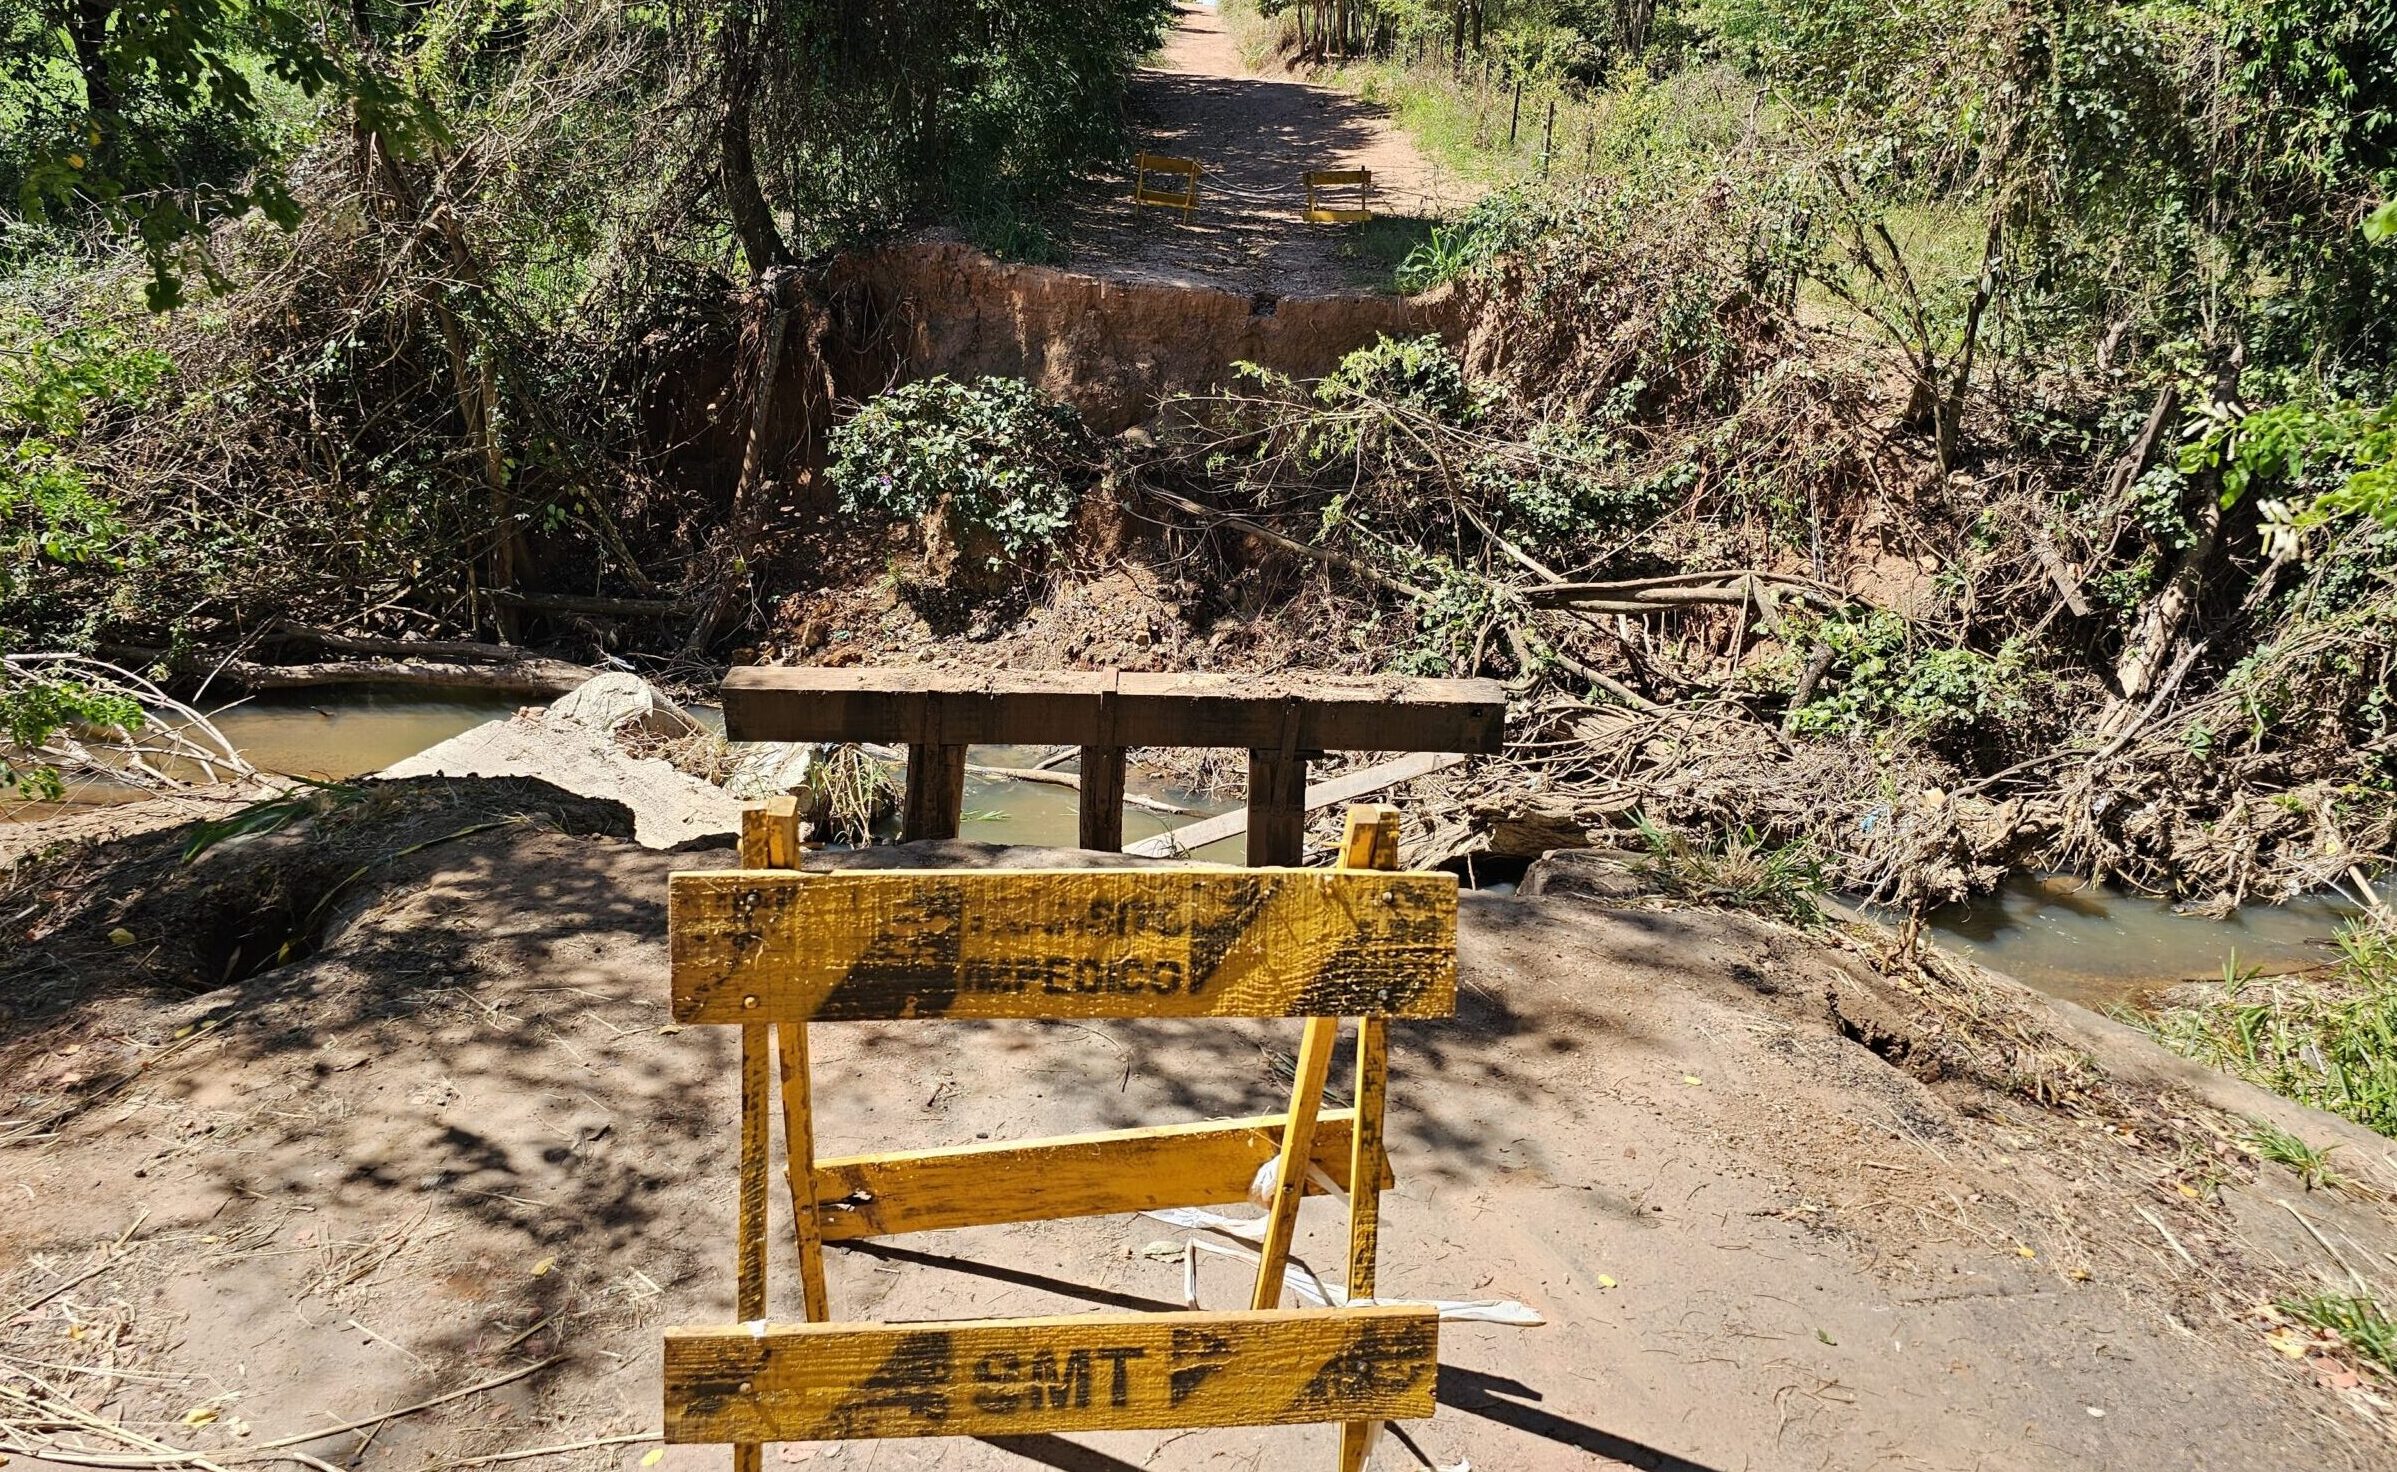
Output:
x=1068 y=708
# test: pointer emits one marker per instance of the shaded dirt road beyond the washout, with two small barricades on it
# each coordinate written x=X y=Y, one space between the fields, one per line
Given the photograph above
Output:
x=1255 y=138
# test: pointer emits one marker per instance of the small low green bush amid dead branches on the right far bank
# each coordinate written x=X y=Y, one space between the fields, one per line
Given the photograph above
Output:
x=1885 y=687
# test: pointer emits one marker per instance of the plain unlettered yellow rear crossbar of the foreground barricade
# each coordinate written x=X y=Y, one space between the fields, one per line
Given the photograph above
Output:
x=1109 y=1174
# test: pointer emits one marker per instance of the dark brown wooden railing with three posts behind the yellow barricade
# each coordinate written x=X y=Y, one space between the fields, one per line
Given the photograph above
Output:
x=1281 y=720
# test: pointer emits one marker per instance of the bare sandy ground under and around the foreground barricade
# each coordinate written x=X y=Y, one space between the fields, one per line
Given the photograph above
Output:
x=1768 y=1226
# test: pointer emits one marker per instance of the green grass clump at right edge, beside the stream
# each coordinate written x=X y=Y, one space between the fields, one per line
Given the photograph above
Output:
x=2326 y=1042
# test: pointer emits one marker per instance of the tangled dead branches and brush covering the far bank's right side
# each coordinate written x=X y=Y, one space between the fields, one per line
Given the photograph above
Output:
x=1734 y=593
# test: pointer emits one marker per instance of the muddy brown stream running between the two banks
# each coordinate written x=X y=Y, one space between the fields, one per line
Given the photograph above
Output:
x=2091 y=946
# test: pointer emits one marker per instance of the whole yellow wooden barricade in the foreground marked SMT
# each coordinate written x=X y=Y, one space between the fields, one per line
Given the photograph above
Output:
x=771 y=951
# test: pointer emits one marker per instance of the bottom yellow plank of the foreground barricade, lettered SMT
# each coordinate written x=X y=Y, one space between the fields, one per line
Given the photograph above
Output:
x=1018 y=1377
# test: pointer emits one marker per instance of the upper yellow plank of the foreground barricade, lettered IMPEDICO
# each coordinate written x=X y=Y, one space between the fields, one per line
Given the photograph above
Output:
x=1061 y=943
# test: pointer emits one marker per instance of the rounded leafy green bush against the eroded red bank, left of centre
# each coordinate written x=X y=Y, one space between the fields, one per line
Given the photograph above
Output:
x=989 y=461
